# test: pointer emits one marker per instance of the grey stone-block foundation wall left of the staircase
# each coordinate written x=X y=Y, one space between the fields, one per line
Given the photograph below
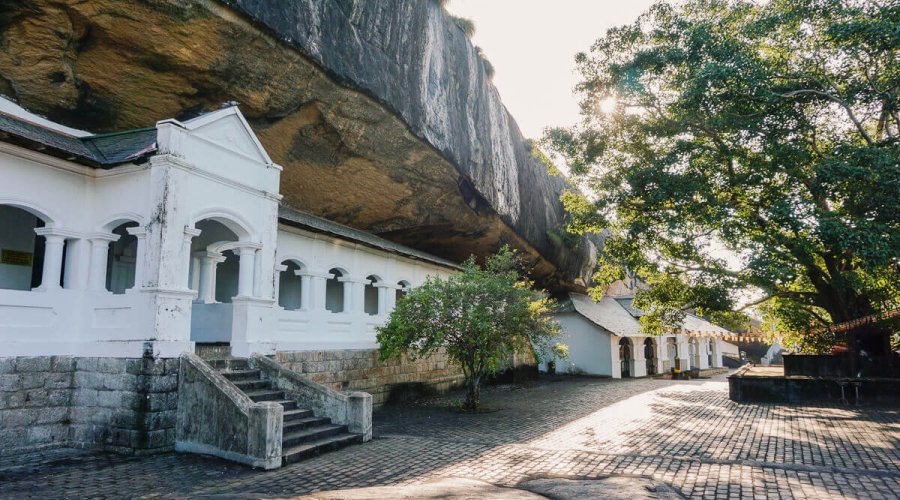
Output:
x=126 y=405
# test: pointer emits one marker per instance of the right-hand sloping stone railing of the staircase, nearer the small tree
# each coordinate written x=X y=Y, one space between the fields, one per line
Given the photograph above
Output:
x=353 y=410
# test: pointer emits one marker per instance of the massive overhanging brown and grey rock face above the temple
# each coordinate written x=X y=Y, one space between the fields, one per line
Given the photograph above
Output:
x=380 y=111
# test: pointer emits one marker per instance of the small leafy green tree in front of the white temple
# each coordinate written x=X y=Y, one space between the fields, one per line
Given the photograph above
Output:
x=479 y=317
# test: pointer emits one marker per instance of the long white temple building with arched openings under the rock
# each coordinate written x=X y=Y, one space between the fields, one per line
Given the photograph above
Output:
x=151 y=240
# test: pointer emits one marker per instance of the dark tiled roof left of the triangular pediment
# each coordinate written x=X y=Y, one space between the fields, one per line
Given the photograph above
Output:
x=104 y=150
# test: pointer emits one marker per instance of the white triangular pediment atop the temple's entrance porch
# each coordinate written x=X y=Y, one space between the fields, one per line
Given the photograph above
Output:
x=228 y=129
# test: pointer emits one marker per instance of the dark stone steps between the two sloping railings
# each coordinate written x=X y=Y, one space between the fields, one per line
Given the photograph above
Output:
x=303 y=434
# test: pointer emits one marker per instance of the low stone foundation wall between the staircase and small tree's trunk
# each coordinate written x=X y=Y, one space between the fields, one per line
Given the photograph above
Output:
x=361 y=370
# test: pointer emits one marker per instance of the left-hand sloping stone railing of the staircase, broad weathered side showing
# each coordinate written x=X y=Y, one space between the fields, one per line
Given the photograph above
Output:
x=216 y=418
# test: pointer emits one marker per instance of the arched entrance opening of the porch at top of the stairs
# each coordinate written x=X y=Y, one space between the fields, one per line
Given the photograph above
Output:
x=214 y=275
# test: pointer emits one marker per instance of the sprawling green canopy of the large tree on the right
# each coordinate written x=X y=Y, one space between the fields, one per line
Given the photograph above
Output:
x=738 y=148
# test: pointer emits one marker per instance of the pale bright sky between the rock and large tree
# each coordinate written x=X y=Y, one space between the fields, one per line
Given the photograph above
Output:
x=532 y=45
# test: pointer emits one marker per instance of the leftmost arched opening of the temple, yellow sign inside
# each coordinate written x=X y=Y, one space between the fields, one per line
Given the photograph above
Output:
x=21 y=249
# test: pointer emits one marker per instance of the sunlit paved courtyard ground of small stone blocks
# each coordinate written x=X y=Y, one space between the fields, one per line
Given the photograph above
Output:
x=688 y=435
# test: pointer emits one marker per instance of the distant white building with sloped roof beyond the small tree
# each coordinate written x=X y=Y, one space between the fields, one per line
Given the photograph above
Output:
x=604 y=339
